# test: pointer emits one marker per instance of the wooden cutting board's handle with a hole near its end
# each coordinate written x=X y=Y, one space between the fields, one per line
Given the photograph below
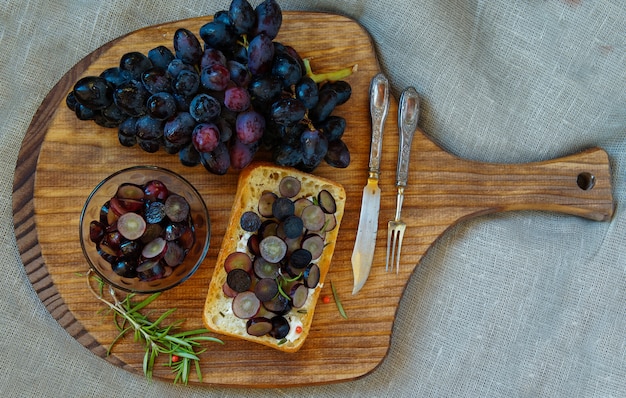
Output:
x=578 y=184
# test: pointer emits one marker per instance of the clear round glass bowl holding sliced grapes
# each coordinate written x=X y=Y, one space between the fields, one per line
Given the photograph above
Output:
x=102 y=257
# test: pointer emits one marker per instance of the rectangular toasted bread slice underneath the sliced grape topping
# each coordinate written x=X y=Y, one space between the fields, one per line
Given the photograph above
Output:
x=253 y=181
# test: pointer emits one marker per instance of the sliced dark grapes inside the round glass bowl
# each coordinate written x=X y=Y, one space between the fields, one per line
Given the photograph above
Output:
x=143 y=231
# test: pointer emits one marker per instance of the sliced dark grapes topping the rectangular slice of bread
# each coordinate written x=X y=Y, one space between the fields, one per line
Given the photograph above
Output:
x=277 y=266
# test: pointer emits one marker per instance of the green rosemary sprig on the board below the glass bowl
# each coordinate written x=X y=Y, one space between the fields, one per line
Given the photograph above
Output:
x=182 y=348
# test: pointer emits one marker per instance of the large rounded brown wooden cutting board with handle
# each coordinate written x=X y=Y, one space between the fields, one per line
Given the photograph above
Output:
x=62 y=159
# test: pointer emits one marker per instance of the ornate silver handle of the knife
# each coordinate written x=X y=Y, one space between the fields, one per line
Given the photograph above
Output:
x=379 y=105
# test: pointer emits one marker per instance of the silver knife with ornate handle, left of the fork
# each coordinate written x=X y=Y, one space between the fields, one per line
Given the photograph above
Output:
x=365 y=243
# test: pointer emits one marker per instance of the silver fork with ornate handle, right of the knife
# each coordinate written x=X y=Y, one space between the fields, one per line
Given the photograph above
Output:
x=408 y=115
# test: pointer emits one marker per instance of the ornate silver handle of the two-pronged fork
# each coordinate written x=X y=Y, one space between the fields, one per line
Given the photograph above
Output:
x=408 y=115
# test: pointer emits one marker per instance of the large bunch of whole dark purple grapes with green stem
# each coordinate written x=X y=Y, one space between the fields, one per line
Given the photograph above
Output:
x=218 y=99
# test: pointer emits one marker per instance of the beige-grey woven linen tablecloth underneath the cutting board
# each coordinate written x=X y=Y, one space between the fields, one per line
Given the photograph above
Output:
x=511 y=305
